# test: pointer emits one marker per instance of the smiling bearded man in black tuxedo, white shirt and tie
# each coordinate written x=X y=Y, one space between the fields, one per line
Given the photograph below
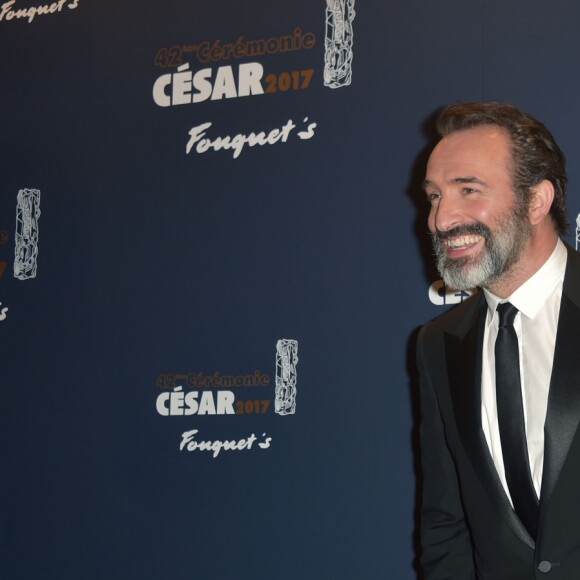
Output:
x=500 y=373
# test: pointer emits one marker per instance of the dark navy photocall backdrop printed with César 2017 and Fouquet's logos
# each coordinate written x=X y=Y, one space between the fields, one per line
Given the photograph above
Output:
x=213 y=264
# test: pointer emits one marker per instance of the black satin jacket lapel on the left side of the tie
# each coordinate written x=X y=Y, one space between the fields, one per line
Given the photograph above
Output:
x=463 y=357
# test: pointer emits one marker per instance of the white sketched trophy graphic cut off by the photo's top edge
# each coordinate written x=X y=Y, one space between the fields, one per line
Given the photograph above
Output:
x=338 y=43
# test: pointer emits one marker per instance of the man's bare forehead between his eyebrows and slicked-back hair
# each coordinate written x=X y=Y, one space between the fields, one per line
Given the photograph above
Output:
x=479 y=151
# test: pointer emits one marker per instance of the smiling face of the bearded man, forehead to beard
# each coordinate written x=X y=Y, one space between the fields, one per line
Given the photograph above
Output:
x=478 y=224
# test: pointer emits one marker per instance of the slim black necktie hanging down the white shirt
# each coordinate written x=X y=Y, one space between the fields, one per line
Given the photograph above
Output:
x=510 y=414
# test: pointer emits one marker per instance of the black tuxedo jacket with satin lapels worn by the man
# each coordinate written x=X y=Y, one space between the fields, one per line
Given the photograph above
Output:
x=468 y=527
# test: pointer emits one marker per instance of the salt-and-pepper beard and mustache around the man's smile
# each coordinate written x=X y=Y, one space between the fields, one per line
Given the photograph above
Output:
x=501 y=251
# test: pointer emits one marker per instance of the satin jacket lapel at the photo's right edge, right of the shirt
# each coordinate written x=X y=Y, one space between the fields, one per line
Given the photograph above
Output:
x=563 y=412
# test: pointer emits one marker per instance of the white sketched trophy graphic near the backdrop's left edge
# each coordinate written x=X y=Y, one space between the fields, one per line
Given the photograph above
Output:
x=26 y=236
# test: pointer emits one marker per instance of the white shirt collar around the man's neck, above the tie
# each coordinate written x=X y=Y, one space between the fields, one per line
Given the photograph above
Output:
x=531 y=295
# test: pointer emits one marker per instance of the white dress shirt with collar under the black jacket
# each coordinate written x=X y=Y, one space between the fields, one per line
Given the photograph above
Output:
x=538 y=301
